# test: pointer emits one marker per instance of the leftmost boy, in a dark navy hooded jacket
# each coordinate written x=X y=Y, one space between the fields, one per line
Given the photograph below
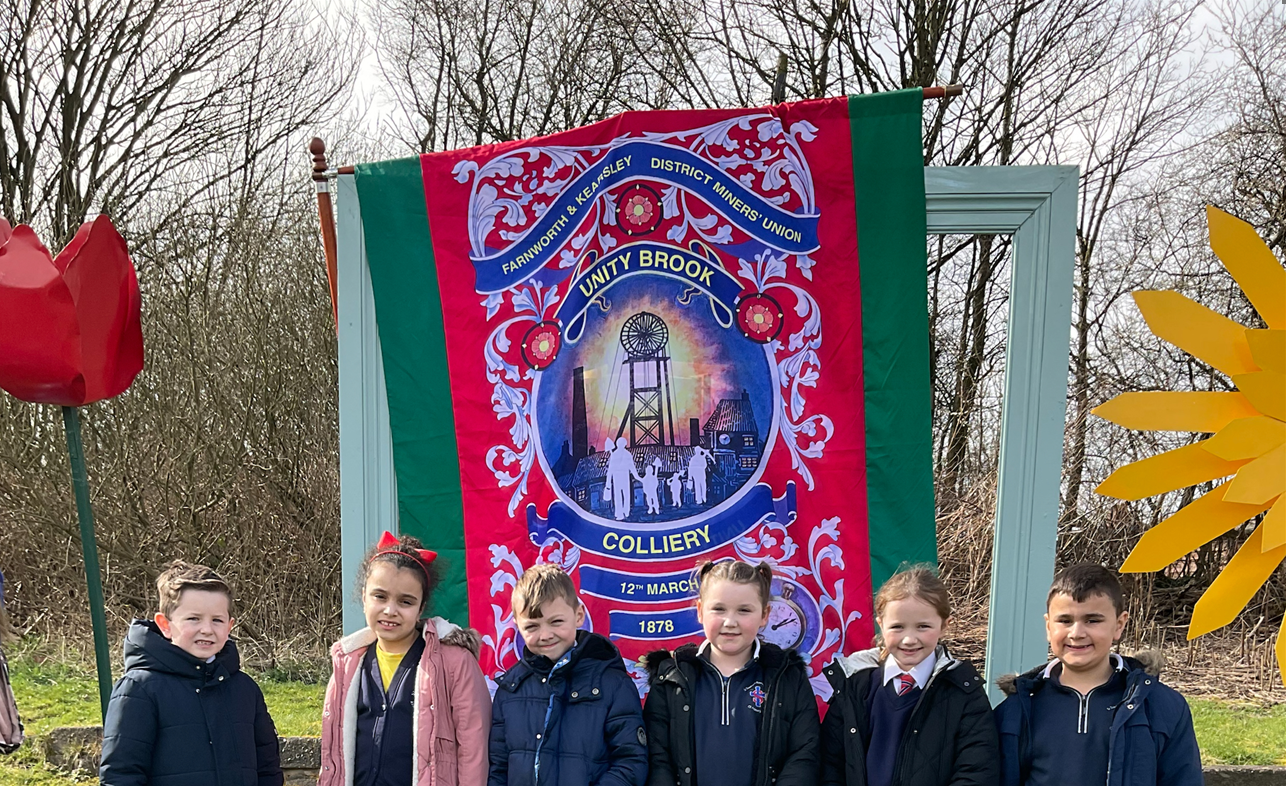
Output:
x=185 y=714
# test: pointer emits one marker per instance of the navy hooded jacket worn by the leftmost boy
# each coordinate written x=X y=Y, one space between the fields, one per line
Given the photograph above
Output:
x=177 y=721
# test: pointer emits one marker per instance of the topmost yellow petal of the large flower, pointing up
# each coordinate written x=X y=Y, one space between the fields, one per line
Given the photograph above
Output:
x=1252 y=264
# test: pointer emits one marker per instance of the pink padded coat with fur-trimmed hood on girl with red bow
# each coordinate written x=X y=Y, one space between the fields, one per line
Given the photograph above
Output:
x=453 y=709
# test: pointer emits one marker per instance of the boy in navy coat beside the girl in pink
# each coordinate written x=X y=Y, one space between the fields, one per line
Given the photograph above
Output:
x=569 y=714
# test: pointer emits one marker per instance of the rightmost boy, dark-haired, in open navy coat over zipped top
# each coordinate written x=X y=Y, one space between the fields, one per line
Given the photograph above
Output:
x=1092 y=717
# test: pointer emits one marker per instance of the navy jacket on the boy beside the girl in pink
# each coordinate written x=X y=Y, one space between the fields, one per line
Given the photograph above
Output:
x=586 y=721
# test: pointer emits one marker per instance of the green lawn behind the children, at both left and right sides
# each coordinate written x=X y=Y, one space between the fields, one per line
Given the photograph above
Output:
x=53 y=695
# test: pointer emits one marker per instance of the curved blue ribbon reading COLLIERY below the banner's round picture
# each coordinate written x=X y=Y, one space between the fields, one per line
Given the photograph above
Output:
x=662 y=543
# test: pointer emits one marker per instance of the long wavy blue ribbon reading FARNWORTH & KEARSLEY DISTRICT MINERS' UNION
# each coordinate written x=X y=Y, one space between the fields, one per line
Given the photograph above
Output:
x=761 y=219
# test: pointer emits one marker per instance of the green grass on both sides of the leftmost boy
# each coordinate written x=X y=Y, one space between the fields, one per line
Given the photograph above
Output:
x=55 y=695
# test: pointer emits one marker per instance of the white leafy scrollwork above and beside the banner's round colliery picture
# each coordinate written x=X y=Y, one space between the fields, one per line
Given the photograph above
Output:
x=510 y=191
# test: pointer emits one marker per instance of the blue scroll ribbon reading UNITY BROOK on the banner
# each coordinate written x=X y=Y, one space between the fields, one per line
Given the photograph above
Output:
x=655 y=259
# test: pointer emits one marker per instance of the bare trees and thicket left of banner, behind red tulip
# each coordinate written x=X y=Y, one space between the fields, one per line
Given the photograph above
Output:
x=186 y=121
